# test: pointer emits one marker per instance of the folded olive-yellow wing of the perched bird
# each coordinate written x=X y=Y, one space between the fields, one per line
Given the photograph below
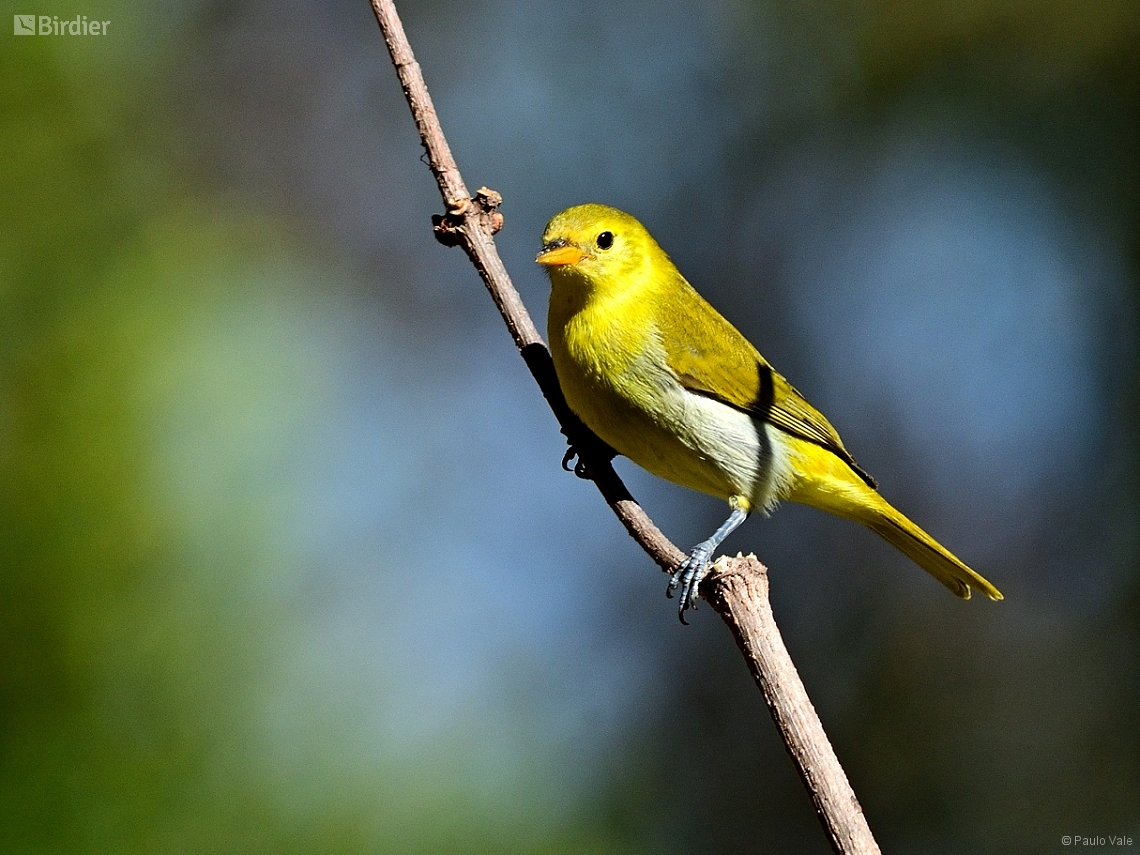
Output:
x=735 y=373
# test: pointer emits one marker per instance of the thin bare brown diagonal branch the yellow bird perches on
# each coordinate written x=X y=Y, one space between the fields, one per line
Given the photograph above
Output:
x=738 y=589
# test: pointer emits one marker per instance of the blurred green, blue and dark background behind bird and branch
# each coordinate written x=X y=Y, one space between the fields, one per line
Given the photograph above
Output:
x=288 y=564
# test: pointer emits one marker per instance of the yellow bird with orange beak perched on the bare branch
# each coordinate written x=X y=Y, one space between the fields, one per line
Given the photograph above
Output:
x=665 y=380
